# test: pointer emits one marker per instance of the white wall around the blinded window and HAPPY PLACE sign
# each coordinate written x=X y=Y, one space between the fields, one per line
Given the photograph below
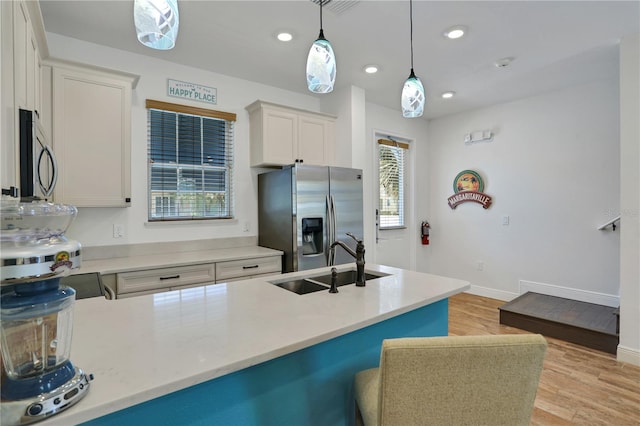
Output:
x=93 y=226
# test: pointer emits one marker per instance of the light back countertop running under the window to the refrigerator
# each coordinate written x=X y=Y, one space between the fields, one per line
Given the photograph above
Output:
x=132 y=263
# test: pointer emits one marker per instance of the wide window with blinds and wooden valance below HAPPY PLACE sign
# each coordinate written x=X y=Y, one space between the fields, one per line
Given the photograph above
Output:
x=190 y=153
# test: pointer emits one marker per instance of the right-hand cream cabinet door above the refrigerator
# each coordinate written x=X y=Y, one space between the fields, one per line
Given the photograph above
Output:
x=315 y=140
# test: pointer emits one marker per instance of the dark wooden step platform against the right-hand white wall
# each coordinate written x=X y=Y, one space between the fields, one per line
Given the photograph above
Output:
x=586 y=324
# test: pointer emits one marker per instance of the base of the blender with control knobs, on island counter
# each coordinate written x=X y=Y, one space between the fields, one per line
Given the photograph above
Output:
x=30 y=410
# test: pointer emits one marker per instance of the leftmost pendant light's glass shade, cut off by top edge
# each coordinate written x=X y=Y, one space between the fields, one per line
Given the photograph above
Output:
x=156 y=23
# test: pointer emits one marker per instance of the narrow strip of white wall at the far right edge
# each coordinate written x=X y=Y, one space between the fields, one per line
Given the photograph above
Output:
x=629 y=348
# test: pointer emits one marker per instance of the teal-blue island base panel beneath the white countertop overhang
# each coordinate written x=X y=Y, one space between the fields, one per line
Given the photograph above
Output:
x=312 y=386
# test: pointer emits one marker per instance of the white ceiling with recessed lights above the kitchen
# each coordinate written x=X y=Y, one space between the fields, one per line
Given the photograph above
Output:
x=554 y=44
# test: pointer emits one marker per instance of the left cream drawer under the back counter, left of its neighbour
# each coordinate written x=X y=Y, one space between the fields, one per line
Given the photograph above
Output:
x=154 y=279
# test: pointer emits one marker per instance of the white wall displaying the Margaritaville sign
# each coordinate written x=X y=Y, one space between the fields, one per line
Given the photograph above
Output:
x=553 y=168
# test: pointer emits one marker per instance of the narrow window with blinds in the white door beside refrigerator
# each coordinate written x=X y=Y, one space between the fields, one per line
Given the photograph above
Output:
x=391 y=156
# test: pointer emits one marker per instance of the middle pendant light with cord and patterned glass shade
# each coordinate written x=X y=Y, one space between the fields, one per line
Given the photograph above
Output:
x=321 y=63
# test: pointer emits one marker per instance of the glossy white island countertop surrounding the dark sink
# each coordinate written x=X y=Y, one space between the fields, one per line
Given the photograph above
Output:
x=148 y=346
